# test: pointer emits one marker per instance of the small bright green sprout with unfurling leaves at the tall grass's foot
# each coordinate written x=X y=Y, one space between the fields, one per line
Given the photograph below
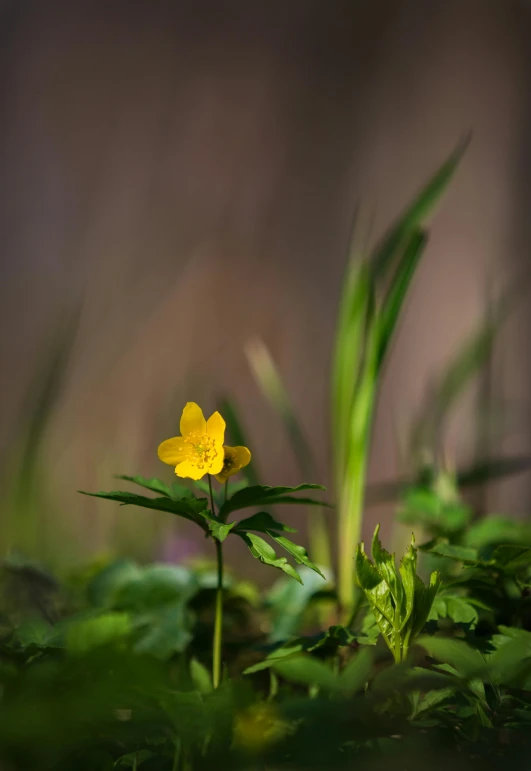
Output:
x=398 y=598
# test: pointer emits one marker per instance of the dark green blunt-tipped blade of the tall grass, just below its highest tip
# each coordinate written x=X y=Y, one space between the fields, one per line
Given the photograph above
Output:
x=394 y=301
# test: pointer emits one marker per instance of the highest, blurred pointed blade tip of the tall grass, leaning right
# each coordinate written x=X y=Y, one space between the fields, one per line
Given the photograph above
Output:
x=415 y=215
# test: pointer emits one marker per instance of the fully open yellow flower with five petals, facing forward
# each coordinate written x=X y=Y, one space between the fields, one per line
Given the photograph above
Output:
x=199 y=450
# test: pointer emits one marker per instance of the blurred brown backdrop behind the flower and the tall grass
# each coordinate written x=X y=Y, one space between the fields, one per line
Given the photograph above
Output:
x=179 y=178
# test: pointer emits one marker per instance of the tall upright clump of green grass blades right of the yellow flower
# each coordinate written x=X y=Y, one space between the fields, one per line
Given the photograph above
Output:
x=374 y=293
